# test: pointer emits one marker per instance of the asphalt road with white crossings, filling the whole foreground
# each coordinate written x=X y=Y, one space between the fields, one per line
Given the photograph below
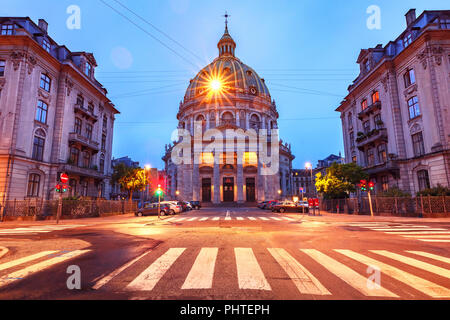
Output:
x=242 y=254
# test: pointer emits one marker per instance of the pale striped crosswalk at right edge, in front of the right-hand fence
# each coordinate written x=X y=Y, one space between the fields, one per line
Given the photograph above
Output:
x=409 y=231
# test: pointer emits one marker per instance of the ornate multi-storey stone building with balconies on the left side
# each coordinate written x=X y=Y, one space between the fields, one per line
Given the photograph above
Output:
x=54 y=116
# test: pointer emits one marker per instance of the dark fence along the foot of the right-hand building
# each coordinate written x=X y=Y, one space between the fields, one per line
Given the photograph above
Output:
x=405 y=206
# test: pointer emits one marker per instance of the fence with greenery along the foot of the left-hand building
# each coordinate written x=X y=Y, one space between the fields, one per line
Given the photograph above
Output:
x=71 y=209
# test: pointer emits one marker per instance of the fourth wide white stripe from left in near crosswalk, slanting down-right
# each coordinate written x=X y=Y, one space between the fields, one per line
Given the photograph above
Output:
x=305 y=282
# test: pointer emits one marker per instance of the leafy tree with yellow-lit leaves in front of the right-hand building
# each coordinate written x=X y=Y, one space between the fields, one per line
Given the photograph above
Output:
x=340 y=180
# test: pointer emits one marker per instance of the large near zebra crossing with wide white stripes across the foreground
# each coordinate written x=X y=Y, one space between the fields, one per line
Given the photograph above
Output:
x=250 y=275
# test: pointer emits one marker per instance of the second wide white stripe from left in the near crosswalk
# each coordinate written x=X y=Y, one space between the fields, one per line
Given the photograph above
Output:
x=202 y=272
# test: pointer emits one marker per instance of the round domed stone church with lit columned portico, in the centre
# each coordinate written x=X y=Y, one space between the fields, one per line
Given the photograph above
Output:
x=229 y=96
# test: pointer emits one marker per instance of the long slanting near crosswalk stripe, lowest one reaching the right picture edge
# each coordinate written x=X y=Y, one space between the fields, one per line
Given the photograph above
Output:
x=429 y=288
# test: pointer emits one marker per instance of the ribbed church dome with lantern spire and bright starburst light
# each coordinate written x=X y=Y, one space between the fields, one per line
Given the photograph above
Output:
x=228 y=75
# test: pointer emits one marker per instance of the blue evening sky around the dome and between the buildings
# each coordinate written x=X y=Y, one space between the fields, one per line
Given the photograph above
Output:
x=294 y=45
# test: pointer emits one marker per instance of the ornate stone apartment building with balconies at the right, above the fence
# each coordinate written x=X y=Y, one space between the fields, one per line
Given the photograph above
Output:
x=395 y=118
